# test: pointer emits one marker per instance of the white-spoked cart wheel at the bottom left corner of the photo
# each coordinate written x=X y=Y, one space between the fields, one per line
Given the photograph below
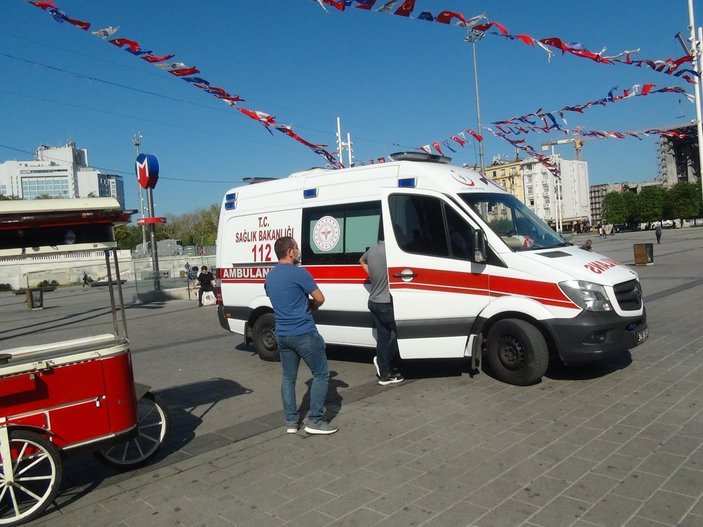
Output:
x=36 y=467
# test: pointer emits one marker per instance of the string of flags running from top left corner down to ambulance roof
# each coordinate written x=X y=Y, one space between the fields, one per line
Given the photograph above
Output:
x=188 y=74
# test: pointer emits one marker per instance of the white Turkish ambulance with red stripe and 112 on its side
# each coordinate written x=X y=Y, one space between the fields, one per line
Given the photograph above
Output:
x=472 y=270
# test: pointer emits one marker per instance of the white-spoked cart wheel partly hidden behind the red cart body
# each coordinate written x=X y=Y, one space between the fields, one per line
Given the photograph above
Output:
x=153 y=423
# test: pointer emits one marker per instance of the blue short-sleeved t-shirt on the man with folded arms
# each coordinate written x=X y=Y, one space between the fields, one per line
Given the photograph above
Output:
x=288 y=287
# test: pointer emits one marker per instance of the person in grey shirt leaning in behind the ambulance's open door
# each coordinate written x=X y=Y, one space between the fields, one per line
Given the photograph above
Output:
x=380 y=304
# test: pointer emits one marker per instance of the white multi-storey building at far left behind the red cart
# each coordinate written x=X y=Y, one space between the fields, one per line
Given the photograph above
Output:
x=58 y=172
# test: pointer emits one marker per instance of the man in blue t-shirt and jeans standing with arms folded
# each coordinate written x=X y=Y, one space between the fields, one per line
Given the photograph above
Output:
x=288 y=286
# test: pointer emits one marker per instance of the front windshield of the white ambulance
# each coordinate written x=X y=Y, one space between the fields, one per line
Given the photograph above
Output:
x=513 y=222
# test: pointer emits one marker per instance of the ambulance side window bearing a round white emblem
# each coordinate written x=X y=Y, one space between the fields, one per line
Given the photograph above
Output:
x=339 y=234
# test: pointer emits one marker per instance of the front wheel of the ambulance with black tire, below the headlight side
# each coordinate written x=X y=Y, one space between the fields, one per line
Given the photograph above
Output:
x=517 y=352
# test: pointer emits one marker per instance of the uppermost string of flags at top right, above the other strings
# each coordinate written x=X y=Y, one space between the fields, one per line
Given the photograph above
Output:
x=479 y=24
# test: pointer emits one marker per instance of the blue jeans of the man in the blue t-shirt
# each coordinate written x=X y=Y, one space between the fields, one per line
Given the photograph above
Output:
x=311 y=348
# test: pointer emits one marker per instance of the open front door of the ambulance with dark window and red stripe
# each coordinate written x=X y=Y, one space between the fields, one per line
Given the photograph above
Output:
x=437 y=290
